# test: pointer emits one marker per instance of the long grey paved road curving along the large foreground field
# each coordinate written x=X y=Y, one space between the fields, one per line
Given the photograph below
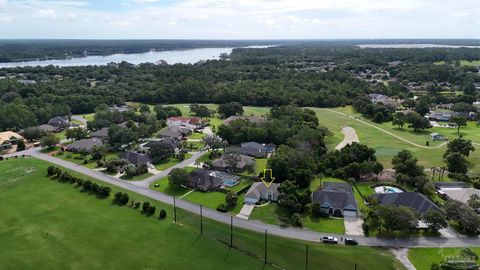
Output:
x=301 y=234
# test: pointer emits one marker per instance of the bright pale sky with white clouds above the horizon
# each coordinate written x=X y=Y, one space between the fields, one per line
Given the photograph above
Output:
x=239 y=19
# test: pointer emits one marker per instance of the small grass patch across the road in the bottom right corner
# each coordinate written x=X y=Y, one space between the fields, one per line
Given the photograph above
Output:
x=422 y=258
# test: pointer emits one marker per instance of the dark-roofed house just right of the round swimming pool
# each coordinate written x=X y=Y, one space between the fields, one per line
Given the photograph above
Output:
x=414 y=200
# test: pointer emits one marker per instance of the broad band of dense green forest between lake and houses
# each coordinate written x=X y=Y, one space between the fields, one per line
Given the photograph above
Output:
x=304 y=75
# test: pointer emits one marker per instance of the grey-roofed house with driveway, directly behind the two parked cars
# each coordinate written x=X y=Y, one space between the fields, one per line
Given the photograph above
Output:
x=336 y=199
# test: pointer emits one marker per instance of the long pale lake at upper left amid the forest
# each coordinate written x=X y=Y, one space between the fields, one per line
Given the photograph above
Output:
x=171 y=57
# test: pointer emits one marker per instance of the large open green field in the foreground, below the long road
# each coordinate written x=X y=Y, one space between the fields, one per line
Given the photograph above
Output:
x=46 y=224
